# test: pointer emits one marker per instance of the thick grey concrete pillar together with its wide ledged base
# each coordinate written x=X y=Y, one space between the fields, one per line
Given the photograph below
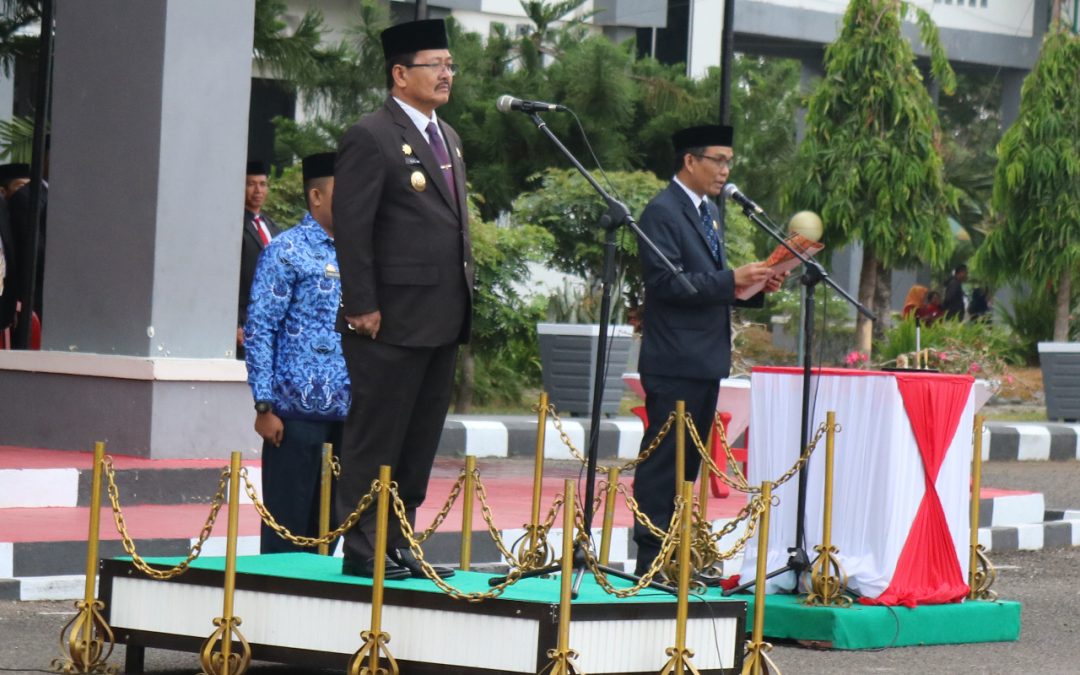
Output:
x=150 y=131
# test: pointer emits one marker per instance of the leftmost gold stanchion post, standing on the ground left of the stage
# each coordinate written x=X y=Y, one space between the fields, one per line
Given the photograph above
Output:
x=90 y=638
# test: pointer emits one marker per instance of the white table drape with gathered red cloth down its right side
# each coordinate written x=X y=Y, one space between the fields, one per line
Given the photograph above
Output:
x=902 y=478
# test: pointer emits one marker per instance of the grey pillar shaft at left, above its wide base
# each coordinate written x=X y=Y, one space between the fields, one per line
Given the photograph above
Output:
x=150 y=142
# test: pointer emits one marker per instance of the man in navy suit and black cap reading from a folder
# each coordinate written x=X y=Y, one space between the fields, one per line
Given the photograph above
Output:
x=686 y=346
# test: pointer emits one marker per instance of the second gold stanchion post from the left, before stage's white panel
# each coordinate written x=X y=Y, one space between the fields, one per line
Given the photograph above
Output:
x=225 y=663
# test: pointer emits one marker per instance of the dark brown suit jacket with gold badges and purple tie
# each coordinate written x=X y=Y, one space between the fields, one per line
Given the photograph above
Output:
x=402 y=238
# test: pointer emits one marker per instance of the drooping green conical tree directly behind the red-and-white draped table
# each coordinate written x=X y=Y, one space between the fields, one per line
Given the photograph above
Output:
x=871 y=161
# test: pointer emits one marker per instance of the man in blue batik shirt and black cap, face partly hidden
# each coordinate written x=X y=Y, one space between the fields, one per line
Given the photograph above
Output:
x=295 y=366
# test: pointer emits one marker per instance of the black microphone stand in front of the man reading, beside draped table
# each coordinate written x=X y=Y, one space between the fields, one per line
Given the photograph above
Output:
x=814 y=274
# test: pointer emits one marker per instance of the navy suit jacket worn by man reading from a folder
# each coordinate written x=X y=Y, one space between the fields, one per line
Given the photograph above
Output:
x=685 y=335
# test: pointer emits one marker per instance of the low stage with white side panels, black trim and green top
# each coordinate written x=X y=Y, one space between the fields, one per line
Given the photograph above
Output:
x=299 y=609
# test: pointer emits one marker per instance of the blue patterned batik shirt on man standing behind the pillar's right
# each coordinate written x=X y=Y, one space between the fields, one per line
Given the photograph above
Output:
x=294 y=356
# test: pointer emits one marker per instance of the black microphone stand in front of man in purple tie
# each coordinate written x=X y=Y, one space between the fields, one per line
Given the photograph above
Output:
x=617 y=214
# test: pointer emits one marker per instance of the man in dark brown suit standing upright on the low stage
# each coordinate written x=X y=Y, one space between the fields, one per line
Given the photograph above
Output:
x=402 y=238
